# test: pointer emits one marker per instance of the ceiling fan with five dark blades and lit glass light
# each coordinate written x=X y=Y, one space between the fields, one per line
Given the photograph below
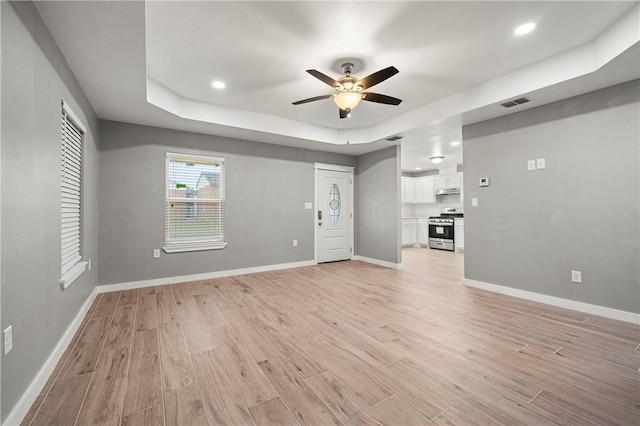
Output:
x=350 y=90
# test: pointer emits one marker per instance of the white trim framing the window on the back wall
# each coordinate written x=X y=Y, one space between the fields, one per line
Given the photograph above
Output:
x=192 y=245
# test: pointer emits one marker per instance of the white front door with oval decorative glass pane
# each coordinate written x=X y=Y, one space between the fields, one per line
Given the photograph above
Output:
x=334 y=215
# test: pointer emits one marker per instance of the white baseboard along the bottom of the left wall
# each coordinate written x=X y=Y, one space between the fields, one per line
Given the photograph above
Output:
x=34 y=389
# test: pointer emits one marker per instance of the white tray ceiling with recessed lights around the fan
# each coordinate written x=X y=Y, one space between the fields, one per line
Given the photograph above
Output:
x=153 y=63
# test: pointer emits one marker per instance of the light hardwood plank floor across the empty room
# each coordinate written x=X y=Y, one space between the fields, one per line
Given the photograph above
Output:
x=342 y=343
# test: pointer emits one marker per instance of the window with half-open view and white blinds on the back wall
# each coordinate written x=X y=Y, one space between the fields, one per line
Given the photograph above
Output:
x=194 y=204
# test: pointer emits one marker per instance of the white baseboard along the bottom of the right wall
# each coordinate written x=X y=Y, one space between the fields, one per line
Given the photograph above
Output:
x=557 y=301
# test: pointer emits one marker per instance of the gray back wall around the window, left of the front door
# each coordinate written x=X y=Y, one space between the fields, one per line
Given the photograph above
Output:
x=266 y=188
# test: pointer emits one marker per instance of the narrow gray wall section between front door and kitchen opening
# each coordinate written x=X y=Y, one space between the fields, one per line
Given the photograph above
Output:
x=378 y=205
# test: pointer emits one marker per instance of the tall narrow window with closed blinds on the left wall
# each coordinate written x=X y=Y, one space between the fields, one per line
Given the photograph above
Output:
x=73 y=131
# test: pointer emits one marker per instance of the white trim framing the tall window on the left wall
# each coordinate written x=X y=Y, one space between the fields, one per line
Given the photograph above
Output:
x=73 y=273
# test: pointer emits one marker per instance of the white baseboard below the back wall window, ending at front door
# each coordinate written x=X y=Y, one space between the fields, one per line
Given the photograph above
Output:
x=196 y=277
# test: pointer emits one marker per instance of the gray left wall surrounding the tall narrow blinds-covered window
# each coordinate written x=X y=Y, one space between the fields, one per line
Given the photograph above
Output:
x=35 y=78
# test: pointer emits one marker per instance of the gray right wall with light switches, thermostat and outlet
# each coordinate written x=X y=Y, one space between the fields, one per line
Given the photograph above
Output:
x=580 y=213
